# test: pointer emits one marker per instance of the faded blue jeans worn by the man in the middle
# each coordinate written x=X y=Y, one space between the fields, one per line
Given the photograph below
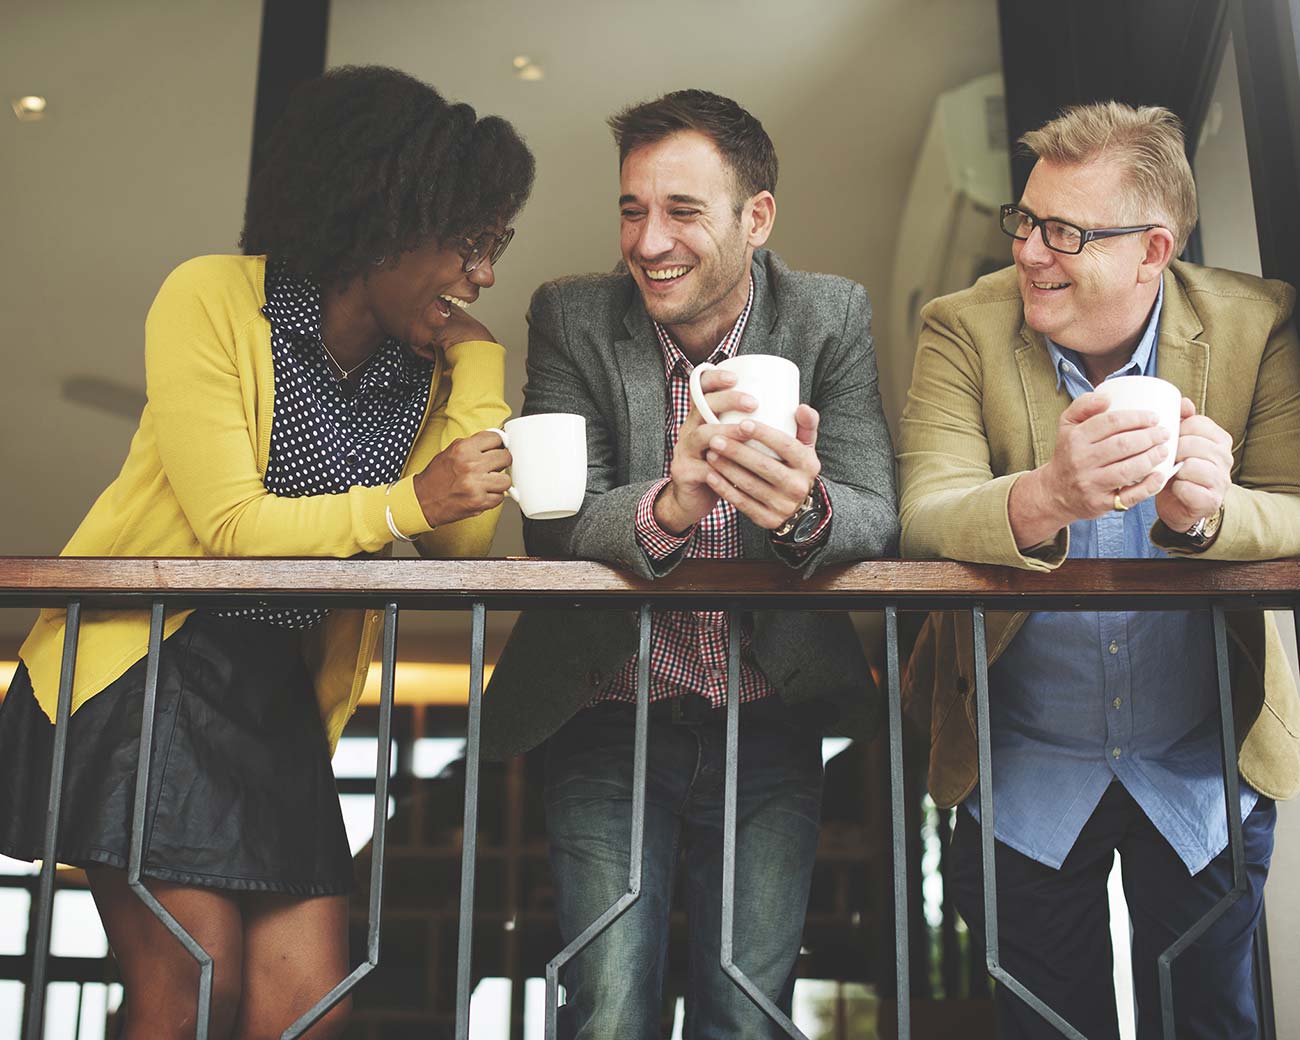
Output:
x=614 y=987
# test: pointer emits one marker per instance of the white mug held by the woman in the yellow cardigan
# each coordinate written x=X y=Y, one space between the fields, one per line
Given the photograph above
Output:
x=548 y=463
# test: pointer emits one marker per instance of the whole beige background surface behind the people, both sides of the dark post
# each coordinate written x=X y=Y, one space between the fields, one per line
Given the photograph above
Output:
x=144 y=162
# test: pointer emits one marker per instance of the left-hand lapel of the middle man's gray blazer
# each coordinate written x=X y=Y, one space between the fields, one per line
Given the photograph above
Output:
x=640 y=362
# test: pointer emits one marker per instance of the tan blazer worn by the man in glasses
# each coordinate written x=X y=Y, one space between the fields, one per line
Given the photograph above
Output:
x=983 y=409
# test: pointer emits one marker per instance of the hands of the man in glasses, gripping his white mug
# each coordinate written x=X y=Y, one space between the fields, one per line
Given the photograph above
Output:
x=1107 y=460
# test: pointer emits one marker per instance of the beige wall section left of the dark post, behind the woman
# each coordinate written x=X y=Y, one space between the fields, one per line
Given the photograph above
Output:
x=141 y=163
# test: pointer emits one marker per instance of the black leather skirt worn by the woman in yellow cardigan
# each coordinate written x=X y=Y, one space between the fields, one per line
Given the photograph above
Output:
x=241 y=791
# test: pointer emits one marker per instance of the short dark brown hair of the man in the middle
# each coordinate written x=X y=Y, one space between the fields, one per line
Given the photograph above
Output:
x=746 y=146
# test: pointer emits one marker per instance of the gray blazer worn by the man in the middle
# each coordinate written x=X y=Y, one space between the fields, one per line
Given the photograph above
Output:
x=592 y=350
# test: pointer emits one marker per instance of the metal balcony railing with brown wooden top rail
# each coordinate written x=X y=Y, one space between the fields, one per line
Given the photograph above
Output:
x=480 y=586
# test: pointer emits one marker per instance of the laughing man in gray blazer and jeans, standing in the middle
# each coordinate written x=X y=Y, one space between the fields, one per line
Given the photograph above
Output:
x=697 y=176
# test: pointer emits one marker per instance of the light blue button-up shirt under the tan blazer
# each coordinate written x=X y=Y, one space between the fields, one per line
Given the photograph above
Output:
x=1081 y=700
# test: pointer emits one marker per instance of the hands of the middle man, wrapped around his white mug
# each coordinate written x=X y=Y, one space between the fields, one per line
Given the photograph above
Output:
x=722 y=461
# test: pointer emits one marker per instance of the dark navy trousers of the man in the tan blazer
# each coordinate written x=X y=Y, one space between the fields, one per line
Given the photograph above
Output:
x=1055 y=926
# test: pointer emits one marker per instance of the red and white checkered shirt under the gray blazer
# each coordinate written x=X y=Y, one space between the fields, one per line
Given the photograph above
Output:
x=688 y=649
